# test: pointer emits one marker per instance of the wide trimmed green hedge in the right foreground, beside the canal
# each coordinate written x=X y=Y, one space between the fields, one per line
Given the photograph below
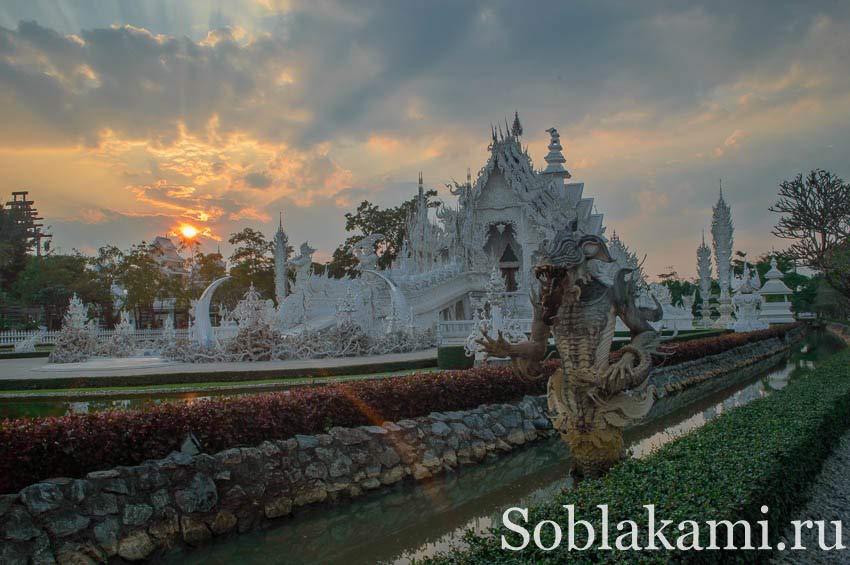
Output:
x=766 y=452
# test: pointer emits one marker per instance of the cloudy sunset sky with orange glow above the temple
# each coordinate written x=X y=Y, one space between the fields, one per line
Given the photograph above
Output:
x=127 y=119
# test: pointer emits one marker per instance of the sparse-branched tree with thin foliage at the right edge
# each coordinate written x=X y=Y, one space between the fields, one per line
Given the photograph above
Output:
x=816 y=217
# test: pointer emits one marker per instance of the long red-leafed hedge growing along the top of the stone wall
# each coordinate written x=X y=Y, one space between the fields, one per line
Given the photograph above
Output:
x=71 y=446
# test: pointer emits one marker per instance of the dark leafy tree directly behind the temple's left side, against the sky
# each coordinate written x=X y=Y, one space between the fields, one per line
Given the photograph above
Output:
x=370 y=218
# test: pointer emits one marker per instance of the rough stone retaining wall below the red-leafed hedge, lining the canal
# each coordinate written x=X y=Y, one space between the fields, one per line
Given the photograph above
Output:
x=136 y=513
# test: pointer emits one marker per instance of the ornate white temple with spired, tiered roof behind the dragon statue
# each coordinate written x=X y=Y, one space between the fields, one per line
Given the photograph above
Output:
x=498 y=226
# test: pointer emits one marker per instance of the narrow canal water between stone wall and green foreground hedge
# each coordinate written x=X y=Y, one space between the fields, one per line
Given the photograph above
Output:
x=418 y=520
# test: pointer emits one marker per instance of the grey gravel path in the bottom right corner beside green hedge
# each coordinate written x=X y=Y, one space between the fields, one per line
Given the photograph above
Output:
x=830 y=500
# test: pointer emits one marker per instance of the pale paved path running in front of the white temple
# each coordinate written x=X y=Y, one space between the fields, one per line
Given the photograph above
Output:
x=38 y=368
